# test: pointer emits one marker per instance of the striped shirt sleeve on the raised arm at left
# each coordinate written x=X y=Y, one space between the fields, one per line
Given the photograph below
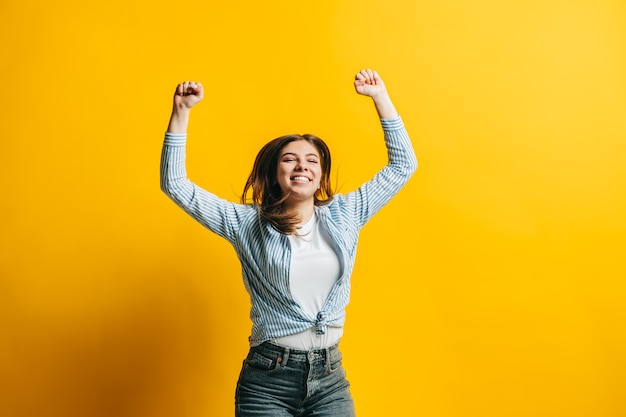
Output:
x=218 y=215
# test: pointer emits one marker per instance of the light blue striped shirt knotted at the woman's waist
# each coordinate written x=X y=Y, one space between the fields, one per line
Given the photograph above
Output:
x=265 y=253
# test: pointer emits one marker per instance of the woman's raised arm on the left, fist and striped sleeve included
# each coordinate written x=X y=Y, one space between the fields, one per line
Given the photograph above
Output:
x=218 y=215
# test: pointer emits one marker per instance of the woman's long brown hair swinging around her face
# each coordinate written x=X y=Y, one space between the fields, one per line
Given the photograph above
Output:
x=266 y=192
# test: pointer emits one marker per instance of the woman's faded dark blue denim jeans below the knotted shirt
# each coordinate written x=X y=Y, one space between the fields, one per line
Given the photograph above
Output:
x=281 y=382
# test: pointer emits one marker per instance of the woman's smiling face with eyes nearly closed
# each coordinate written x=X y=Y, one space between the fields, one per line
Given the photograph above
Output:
x=299 y=171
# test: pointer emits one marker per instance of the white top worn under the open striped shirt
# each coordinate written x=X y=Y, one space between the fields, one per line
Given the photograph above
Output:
x=314 y=270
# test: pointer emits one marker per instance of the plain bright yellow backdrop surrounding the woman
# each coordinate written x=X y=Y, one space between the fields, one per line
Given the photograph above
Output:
x=493 y=285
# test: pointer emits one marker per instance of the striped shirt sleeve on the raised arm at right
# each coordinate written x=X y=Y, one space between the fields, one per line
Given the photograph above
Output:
x=370 y=197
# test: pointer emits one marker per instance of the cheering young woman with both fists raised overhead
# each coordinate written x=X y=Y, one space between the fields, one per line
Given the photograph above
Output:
x=296 y=241
